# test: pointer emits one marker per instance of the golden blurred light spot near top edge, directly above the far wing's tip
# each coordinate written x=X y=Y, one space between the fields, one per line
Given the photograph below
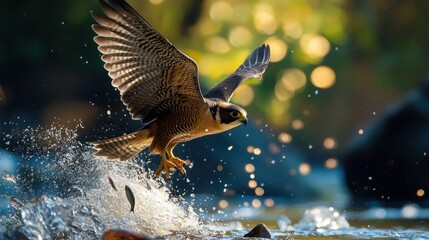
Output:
x=264 y=19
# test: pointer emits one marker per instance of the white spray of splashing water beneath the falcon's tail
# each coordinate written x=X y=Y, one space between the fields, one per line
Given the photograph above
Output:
x=63 y=191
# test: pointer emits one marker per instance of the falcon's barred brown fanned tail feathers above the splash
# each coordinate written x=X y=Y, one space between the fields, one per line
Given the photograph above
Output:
x=123 y=147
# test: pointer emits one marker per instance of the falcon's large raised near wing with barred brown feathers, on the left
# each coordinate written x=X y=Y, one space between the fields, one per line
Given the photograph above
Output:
x=149 y=72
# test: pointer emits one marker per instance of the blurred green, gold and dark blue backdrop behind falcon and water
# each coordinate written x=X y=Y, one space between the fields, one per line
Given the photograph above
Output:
x=342 y=112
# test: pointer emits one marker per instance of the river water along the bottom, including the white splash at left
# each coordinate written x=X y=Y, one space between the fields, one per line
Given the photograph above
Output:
x=62 y=192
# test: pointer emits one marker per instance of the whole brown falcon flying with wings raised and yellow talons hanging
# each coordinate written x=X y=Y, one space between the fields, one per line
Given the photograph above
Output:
x=159 y=86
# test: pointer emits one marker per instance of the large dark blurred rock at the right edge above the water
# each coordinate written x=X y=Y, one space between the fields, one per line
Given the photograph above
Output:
x=387 y=165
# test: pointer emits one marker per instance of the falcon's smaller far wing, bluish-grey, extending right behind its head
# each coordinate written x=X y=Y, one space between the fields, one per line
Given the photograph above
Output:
x=253 y=67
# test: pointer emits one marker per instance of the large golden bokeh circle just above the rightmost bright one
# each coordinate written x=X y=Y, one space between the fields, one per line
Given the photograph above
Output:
x=314 y=46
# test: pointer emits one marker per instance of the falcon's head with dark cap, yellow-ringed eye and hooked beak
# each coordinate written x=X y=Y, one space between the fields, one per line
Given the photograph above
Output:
x=229 y=115
